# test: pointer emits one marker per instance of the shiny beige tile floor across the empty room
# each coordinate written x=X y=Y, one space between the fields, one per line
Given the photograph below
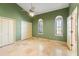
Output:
x=35 y=47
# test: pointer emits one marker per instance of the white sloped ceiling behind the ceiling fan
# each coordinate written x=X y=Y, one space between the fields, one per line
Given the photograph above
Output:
x=43 y=7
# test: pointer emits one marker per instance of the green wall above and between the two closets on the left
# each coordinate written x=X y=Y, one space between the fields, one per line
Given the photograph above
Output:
x=12 y=10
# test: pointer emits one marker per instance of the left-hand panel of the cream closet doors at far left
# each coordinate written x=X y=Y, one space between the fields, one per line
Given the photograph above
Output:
x=5 y=31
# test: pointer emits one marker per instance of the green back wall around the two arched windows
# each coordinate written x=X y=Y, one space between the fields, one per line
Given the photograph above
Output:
x=49 y=24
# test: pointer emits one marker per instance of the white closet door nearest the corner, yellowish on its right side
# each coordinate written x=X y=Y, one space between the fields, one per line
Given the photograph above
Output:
x=26 y=30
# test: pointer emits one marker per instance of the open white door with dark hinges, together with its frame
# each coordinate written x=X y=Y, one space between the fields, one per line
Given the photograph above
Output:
x=72 y=32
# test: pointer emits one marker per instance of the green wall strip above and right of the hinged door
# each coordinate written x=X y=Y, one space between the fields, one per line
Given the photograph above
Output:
x=72 y=7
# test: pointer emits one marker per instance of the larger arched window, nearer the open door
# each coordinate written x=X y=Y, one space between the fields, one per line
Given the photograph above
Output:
x=59 y=26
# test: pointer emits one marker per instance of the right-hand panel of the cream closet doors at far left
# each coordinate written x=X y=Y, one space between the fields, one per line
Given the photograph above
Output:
x=12 y=31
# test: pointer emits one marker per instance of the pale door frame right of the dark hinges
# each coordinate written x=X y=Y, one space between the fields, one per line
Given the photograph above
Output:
x=74 y=30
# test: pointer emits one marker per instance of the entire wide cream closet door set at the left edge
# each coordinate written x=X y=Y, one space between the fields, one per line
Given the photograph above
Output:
x=7 y=31
